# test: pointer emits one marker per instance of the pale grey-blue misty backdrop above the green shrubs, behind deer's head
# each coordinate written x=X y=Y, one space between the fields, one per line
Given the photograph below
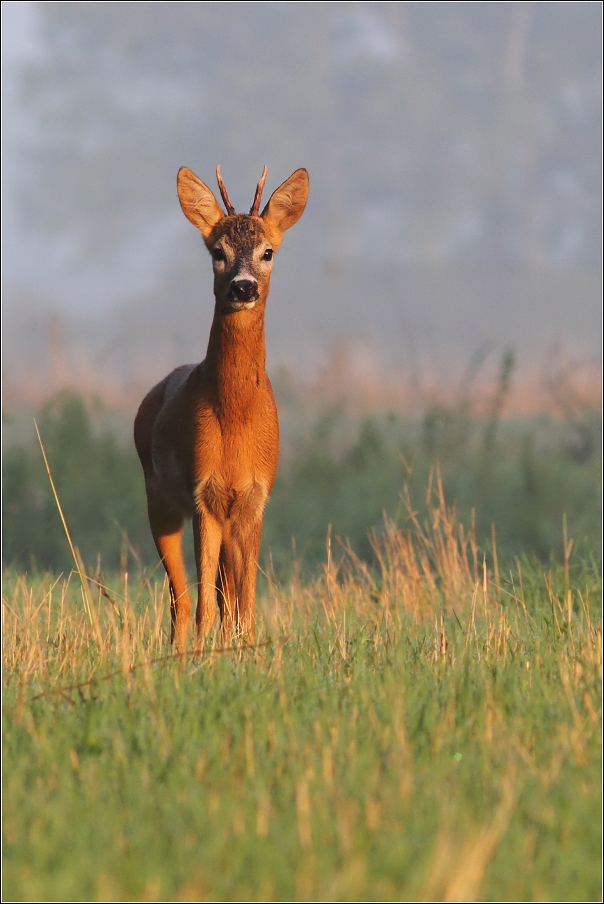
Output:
x=454 y=152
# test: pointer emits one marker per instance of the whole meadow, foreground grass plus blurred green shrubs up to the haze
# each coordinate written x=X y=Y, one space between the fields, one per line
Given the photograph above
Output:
x=418 y=719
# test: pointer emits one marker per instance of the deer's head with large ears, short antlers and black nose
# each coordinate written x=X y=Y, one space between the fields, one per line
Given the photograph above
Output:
x=242 y=246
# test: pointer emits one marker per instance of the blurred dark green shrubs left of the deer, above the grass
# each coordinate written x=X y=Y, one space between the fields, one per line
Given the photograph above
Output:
x=100 y=485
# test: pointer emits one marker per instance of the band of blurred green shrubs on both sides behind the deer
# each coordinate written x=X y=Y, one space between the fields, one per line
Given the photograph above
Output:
x=337 y=473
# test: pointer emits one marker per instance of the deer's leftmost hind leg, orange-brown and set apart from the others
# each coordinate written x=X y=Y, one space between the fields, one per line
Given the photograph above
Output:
x=166 y=527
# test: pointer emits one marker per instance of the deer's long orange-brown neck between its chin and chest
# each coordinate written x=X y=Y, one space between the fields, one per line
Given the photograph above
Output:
x=236 y=358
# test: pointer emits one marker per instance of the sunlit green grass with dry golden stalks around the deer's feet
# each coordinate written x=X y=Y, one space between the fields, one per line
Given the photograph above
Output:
x=427 y=730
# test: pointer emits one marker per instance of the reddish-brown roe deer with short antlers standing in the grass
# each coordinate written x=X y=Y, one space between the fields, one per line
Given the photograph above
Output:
x=207 y=435
